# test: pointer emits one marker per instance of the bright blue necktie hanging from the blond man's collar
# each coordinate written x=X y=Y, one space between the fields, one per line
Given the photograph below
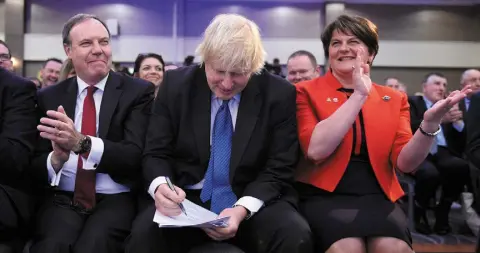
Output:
x=217 y=186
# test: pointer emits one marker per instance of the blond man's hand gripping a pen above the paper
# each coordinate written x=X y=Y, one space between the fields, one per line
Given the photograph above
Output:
x=169 y=198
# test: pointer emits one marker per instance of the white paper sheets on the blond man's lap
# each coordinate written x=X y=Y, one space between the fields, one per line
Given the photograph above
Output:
x=197 y=216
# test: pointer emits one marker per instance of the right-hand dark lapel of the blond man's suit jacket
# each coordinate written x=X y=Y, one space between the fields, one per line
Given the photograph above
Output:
x=249 y=107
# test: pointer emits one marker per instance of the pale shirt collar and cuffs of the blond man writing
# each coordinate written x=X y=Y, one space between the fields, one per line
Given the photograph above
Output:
x=250 y=203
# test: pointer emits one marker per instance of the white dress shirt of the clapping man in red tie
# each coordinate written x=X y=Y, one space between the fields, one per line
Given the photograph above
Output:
x=65 y=178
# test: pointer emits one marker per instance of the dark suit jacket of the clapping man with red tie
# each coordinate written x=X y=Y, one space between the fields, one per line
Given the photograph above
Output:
x=124 y=113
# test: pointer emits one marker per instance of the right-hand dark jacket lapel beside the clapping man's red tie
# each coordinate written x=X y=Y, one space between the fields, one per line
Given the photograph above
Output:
x=110 y=98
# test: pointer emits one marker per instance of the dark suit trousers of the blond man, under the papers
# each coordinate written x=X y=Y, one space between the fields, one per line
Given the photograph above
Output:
x=277 y=228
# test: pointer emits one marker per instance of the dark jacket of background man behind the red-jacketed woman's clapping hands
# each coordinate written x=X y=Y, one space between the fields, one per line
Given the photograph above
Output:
x=455 y=140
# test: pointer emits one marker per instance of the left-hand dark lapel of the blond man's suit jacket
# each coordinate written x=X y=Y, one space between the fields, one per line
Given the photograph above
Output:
x=201 y=114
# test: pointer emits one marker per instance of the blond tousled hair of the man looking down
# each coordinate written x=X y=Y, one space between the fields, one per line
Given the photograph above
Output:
x=234 y=42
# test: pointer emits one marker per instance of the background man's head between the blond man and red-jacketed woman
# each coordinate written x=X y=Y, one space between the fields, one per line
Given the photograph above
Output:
x=301 y=66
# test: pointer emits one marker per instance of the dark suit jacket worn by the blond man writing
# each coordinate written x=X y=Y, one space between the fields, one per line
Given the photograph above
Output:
x=264 y=145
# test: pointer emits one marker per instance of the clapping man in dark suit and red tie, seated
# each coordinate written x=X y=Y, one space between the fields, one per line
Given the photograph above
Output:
x=93 y=132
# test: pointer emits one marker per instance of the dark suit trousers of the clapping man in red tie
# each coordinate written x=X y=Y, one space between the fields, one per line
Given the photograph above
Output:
x=62 y=228
